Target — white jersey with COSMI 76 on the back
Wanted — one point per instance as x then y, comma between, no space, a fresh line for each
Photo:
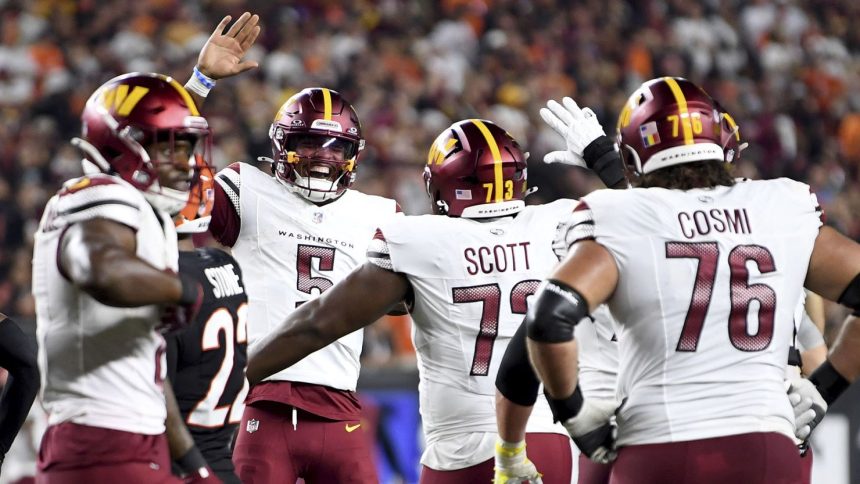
709,280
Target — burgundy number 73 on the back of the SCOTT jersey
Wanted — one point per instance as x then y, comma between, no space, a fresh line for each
491,297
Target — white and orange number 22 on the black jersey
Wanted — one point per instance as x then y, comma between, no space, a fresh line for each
207,413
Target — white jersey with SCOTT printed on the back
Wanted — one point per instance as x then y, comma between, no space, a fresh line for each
472,281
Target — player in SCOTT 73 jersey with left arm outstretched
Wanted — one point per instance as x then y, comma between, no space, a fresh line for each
468,272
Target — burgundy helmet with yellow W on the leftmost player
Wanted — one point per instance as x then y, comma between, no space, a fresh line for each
133,112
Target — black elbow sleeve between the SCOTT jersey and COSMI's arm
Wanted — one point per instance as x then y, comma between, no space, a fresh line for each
516,379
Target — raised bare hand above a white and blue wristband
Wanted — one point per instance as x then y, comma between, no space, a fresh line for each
222,54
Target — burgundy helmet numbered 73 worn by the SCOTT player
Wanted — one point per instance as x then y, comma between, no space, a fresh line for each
475,169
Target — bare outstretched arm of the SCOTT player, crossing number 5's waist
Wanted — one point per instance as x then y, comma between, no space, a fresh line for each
366,295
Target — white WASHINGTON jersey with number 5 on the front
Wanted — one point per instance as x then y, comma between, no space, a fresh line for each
292,250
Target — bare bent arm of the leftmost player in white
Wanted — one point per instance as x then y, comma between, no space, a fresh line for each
99,256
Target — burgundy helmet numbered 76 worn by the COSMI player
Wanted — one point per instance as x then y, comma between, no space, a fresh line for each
669,121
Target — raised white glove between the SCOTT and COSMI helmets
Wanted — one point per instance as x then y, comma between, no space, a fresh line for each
578,127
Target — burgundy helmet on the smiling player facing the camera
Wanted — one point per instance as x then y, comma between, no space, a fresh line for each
316,140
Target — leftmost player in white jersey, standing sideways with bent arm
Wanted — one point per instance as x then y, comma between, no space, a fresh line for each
104,275
